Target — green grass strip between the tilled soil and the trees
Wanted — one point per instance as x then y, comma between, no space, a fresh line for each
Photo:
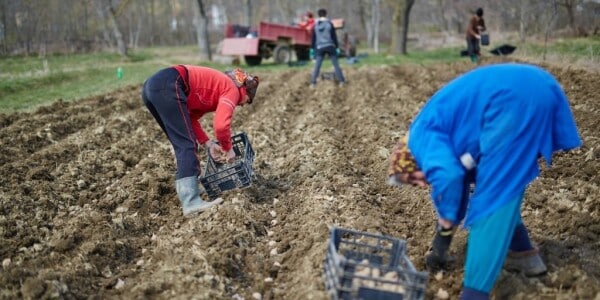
28,82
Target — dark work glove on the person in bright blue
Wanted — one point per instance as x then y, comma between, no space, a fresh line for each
438,258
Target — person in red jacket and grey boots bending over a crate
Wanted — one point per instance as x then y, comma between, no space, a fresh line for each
178,97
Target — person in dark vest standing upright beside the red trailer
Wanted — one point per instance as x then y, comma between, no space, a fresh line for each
324,41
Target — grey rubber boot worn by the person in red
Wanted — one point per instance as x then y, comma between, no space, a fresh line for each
189,196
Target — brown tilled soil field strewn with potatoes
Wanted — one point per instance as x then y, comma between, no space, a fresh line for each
89,210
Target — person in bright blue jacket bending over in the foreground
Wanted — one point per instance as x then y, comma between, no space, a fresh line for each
486,128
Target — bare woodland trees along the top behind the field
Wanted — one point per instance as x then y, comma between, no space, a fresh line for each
41,27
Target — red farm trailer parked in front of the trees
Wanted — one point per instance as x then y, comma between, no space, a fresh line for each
270,40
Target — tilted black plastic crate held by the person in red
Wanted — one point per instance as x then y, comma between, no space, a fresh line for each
219,177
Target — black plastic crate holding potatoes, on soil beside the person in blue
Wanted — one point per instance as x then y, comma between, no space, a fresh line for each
361,265
